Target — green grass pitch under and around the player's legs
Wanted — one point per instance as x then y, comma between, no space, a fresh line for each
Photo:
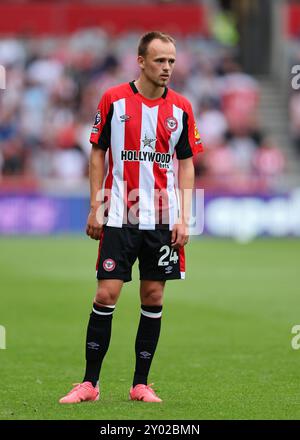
225,348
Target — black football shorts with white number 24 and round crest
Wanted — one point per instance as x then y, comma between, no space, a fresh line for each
120,247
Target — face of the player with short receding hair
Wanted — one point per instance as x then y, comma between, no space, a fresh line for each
158,63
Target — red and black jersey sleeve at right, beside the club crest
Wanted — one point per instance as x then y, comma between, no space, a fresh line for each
189,143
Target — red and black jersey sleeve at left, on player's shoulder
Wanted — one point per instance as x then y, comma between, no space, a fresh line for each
101,130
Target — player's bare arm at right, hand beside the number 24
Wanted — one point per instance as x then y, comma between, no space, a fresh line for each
186,178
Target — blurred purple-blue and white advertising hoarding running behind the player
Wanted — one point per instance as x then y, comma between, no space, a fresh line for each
240,217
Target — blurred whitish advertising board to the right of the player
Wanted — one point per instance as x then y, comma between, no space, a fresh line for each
248,217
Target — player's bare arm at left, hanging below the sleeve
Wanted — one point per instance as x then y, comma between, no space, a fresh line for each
96,175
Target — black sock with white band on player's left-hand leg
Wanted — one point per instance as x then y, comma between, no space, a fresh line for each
97,341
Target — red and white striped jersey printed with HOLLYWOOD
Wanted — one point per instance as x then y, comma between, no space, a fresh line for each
142,136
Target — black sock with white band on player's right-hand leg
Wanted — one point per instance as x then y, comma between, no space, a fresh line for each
146,342
